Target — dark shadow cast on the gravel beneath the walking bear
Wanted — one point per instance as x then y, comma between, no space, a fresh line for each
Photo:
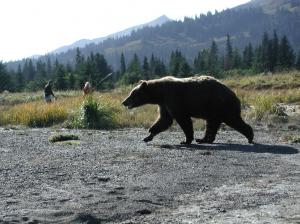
253,148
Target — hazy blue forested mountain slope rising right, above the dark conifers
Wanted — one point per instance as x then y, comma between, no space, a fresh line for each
245,24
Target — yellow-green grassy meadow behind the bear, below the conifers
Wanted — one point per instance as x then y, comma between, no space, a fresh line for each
261,96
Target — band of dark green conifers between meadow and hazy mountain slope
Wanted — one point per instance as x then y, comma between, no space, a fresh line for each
271,54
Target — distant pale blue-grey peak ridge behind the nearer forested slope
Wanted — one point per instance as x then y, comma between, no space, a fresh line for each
83,42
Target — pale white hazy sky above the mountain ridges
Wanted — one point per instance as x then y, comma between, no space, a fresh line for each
30,27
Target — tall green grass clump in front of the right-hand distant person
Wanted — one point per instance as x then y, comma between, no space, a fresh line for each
95,115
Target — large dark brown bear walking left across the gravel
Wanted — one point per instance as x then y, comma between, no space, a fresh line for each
183,98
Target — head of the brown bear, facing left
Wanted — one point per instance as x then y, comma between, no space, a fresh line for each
138,96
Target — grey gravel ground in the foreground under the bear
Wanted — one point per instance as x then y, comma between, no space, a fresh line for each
114,177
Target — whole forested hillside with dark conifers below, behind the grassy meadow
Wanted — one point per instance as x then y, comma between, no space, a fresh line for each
251,38
